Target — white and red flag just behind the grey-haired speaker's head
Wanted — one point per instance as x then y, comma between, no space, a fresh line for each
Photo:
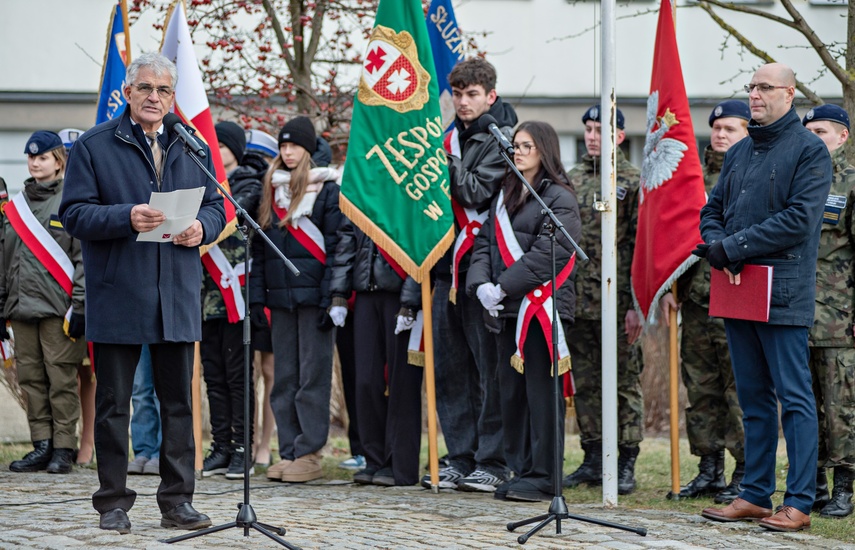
191,100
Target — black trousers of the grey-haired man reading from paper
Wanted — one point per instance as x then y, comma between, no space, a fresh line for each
172,368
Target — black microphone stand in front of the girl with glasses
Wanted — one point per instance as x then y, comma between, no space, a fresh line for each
558,507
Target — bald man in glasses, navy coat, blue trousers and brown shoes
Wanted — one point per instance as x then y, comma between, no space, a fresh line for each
767,209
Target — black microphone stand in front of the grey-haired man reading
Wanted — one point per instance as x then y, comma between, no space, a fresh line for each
246,518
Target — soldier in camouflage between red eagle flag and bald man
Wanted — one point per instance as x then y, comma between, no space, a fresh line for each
713,417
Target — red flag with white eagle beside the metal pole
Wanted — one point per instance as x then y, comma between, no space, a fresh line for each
672,185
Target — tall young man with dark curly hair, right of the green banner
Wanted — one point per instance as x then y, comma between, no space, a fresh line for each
466,357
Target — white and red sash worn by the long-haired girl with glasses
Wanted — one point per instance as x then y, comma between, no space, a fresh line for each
536,303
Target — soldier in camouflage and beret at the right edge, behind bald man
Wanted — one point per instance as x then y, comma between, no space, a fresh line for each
832,345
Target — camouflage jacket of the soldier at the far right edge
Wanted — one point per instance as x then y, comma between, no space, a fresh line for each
835,278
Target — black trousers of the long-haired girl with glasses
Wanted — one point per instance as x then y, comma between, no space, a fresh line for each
528,413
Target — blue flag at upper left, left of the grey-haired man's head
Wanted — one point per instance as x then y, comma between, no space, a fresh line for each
111,101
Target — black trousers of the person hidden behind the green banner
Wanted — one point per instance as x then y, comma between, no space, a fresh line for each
389,426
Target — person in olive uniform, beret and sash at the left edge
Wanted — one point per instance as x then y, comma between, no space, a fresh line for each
42,295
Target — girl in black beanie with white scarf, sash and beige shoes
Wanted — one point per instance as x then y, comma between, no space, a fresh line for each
299,212
